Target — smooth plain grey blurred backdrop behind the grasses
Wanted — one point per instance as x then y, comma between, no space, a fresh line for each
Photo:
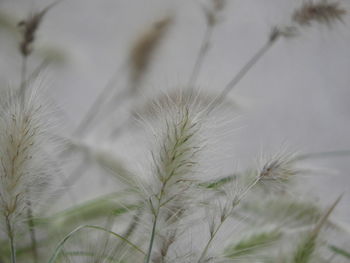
298,94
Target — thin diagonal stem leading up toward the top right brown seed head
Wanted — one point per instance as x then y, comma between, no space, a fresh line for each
243,71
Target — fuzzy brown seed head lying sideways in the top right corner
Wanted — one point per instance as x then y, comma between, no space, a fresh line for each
323,12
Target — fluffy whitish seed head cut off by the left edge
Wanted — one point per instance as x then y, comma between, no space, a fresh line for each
23,137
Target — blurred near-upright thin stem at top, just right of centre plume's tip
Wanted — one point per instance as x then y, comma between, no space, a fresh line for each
201,55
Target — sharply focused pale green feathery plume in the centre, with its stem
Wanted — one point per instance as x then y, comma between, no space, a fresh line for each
173,163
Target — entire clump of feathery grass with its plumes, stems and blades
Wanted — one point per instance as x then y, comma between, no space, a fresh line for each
158,214
